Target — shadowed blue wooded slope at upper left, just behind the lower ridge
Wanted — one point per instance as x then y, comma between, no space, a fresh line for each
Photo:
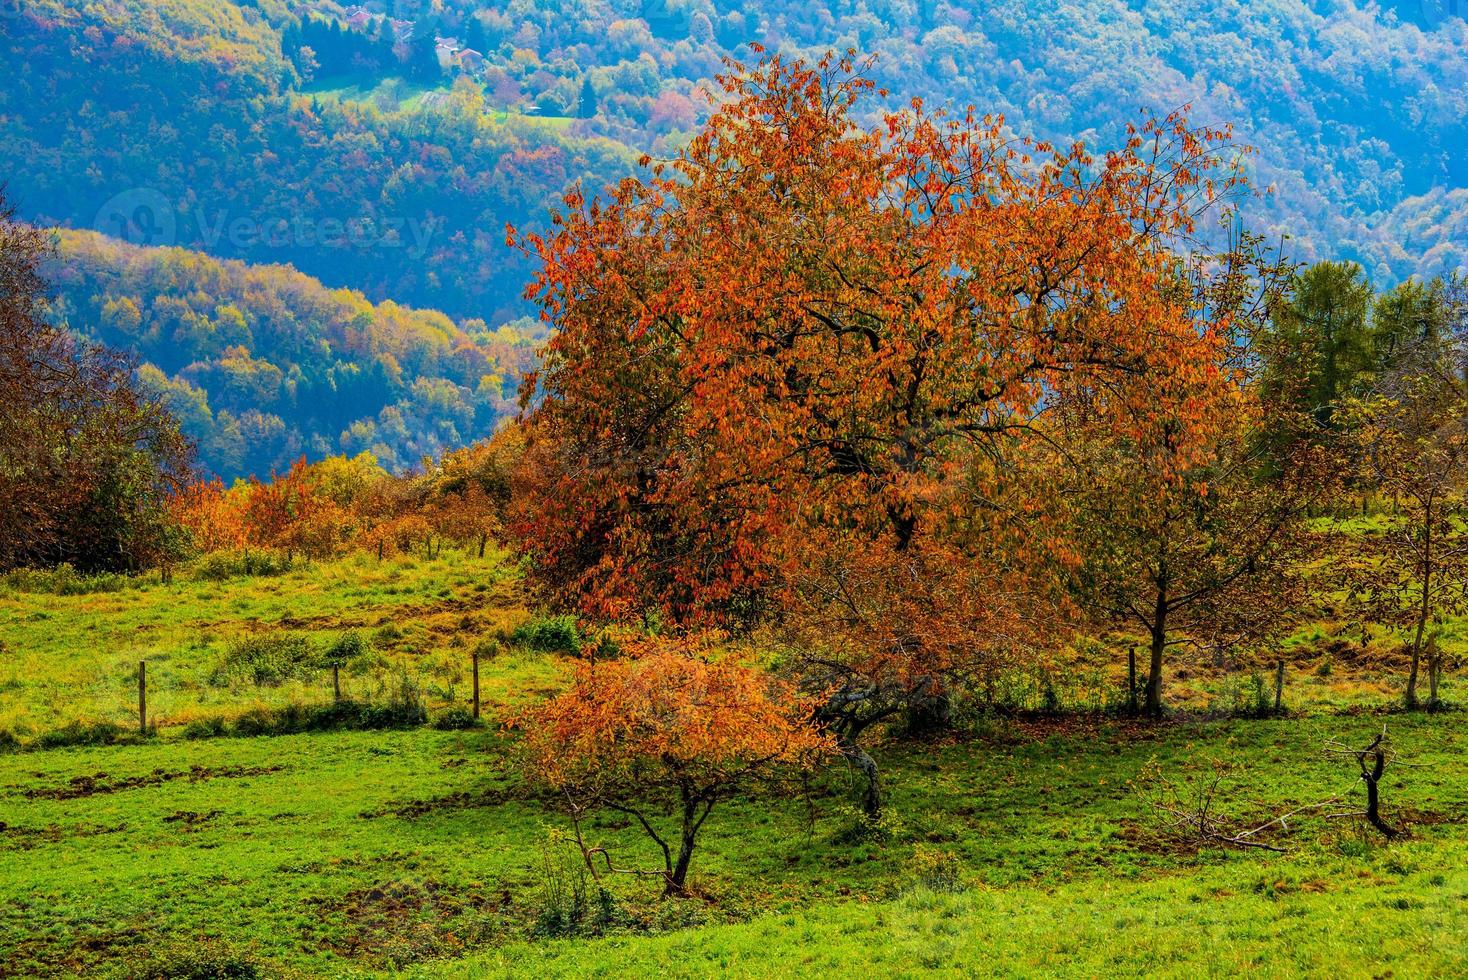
149,122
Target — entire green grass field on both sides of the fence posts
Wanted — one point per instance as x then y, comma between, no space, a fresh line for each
1015,846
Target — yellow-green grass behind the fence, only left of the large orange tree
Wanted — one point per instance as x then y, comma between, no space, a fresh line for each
76,658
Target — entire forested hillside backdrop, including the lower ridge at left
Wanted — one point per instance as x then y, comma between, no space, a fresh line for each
362,146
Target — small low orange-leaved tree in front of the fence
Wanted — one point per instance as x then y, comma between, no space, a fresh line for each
669,728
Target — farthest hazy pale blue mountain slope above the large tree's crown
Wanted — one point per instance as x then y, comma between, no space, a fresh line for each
1359,109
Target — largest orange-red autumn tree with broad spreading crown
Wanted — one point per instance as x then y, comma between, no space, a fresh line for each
791,369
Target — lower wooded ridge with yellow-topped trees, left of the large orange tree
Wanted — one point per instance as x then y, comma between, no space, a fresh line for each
264,365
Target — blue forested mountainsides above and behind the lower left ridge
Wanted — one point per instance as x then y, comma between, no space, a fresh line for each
200,108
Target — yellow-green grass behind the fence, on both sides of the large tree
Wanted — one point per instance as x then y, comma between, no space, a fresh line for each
76,658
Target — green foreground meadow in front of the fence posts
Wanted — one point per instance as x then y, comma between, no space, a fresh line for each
359,855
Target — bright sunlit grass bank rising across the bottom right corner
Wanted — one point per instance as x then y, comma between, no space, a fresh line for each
1322,919
